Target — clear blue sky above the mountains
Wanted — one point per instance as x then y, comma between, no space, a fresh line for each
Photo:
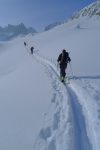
38,13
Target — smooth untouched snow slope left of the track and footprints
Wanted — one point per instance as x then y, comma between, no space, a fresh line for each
21,103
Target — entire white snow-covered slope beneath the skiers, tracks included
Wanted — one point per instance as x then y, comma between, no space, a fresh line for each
37,111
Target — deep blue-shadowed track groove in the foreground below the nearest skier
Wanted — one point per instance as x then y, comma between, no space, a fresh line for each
80,132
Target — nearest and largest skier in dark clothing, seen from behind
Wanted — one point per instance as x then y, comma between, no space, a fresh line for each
63,60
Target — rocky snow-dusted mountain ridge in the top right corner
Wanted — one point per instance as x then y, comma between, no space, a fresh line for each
89,11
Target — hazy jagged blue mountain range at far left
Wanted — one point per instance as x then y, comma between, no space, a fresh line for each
11,31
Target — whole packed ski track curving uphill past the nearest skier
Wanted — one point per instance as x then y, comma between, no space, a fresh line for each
79,137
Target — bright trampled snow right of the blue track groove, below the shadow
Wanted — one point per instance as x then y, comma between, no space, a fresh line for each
89,97
